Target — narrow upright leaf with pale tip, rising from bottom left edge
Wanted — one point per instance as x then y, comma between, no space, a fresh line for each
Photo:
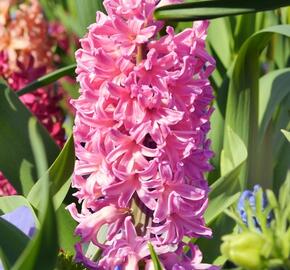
42,250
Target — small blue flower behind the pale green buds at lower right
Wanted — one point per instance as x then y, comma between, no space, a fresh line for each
250,196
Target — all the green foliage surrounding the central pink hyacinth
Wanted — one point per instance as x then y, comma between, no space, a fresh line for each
252,103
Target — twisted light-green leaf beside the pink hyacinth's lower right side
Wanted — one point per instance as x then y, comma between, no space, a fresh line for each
223,193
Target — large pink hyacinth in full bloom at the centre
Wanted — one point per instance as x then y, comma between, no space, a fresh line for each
140,138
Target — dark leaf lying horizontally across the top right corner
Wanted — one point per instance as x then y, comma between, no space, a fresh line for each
210,9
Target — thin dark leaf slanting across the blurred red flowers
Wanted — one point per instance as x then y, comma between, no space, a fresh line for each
48,79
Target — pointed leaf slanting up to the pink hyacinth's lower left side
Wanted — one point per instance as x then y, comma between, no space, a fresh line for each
59,176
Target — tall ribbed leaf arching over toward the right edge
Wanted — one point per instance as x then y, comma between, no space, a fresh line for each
243,100
